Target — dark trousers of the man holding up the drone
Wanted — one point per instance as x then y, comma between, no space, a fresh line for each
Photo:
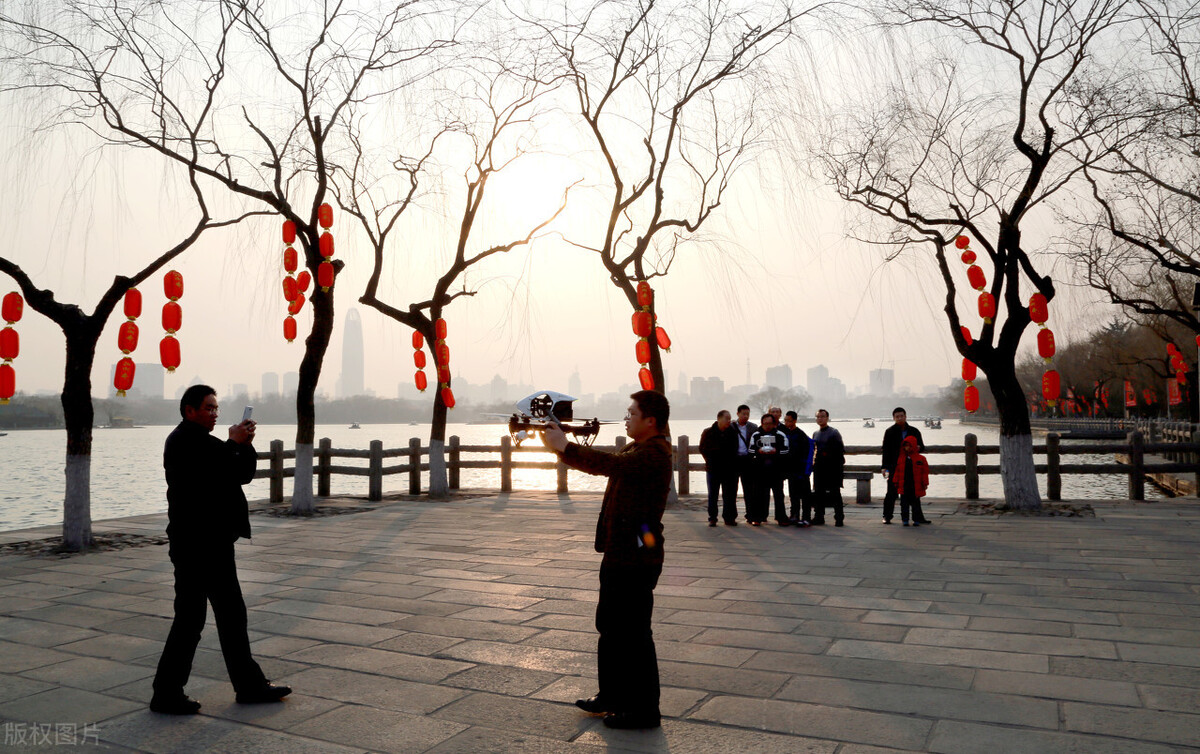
628,667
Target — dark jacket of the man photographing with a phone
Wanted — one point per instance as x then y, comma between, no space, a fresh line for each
206,505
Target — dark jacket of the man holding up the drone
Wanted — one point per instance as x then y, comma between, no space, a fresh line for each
629,531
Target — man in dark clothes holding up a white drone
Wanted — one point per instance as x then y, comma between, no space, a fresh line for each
629,534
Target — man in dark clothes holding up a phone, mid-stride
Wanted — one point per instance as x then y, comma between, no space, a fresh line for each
207,513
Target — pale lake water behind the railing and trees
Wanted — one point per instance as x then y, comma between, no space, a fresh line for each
128,478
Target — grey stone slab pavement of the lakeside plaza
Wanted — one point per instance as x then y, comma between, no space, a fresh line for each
467,627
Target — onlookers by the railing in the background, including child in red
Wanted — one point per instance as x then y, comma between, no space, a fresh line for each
761,458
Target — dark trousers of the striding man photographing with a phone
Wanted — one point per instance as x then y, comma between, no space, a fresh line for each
203,578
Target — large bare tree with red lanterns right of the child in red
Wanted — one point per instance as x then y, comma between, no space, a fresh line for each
977,145
